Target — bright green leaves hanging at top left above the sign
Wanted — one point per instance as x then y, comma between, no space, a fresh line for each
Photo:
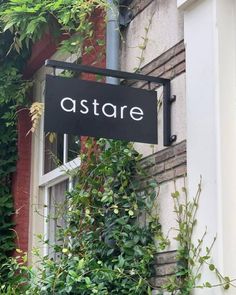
27,21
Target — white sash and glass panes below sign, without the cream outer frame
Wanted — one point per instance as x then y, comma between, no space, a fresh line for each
60,155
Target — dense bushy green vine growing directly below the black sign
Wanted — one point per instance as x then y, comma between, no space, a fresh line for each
105,249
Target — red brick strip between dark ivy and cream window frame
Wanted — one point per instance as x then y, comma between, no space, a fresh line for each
21,181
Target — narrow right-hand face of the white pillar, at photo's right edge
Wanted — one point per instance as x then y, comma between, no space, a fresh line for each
226,140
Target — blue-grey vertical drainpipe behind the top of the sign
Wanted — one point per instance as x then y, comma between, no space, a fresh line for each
112,39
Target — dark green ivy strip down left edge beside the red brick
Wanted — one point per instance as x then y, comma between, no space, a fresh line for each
12,94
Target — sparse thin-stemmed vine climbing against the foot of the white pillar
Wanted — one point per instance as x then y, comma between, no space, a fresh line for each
191,255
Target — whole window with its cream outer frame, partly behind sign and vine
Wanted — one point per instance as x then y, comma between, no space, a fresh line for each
53,156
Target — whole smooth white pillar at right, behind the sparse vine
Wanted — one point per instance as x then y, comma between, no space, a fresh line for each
211,124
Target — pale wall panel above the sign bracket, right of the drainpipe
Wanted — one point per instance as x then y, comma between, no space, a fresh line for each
165,31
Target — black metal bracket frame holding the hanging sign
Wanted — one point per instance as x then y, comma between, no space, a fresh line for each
168,139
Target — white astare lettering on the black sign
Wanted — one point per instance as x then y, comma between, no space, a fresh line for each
108,109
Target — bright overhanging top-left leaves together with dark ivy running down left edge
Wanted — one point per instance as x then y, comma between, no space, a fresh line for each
22,23
